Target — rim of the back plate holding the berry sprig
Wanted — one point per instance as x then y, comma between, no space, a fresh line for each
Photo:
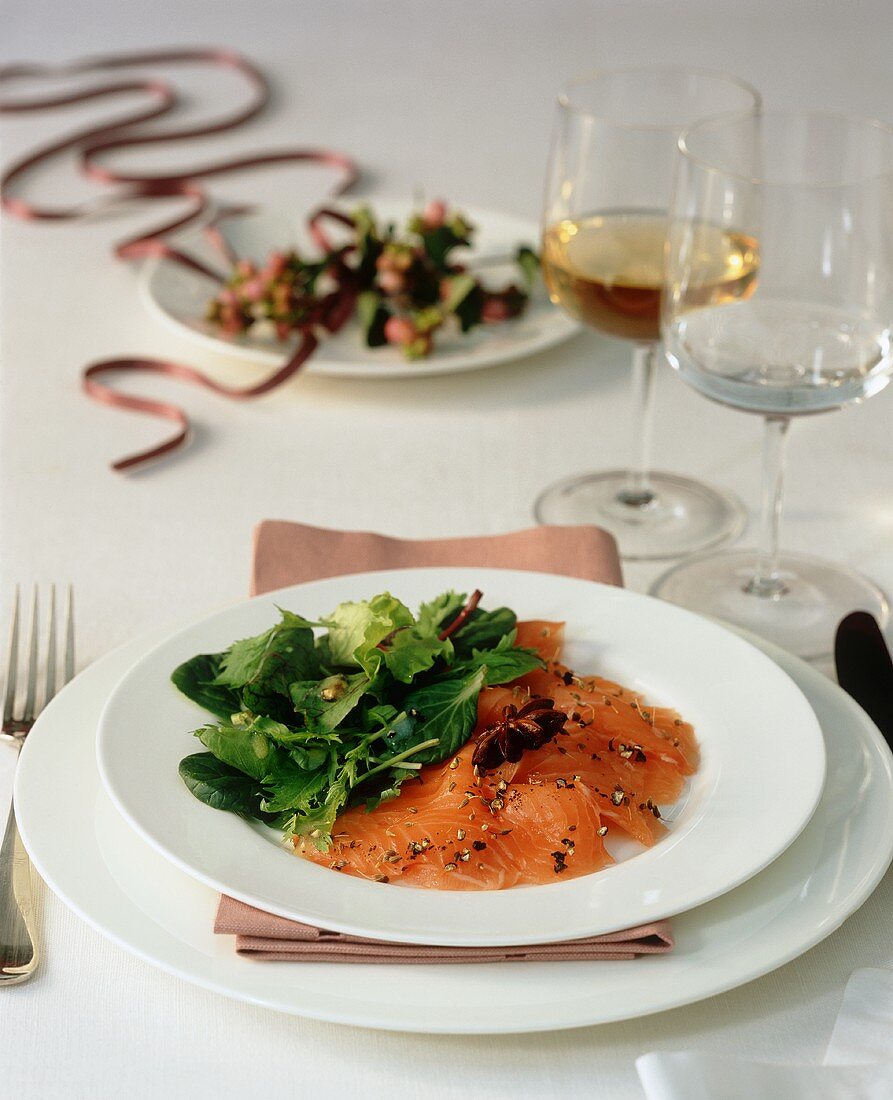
564,327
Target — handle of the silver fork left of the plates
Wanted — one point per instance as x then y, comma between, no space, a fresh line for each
18,941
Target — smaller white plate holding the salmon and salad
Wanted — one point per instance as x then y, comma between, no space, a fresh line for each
741,811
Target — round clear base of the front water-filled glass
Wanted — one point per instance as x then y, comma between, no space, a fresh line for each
803,620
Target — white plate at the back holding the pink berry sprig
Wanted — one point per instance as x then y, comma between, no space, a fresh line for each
180,299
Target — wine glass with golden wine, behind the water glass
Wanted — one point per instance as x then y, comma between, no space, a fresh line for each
605,213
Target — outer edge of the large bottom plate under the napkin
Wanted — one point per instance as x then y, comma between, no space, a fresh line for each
714,982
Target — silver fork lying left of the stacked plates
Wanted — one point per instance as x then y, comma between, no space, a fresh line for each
18,942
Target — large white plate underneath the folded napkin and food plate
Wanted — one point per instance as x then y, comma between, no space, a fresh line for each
98,866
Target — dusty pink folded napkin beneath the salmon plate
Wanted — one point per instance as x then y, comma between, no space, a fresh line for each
289,554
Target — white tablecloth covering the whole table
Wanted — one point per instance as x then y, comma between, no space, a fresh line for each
455,100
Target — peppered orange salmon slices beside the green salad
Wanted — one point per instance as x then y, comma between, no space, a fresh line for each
456,828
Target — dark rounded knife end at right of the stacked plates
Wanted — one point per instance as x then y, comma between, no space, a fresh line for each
865,669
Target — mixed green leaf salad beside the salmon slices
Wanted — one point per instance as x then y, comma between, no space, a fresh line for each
314,717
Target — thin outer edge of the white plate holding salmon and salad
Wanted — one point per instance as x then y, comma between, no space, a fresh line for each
462,932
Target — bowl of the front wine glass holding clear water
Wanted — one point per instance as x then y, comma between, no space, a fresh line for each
820,332
